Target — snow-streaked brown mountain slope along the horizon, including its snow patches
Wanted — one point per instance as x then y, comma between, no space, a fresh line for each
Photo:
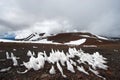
63,38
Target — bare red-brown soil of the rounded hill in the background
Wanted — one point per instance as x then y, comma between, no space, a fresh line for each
67,37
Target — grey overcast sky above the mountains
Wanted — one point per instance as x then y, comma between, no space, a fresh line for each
97,16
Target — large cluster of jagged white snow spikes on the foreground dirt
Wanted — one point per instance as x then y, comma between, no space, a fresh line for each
94,60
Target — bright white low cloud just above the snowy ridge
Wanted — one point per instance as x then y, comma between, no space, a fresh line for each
51,26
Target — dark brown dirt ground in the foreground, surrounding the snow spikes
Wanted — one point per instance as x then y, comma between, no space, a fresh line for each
109,51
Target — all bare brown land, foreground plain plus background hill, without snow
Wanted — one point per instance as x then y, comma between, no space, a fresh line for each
109,49
